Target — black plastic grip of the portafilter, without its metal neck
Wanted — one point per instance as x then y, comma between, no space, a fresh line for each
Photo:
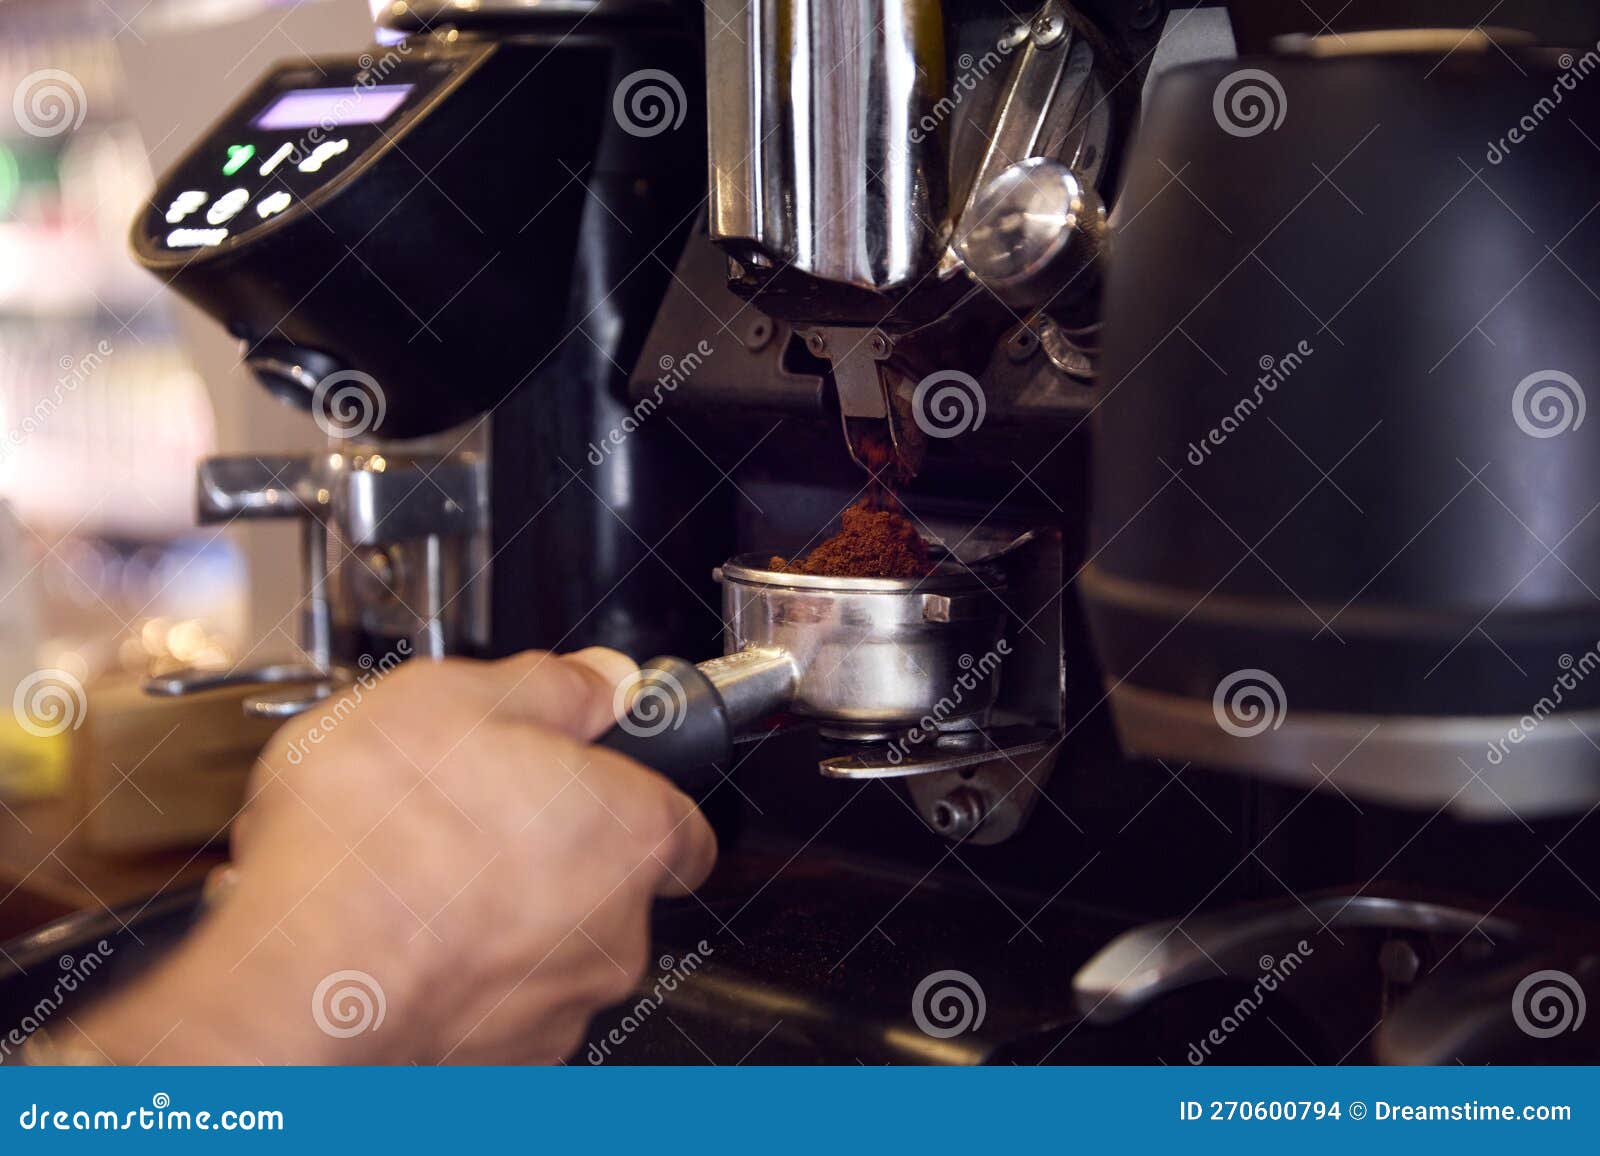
676,725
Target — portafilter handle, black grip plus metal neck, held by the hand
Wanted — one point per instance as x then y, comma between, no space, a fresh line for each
682,718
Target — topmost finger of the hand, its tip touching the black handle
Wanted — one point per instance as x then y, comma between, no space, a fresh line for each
574,694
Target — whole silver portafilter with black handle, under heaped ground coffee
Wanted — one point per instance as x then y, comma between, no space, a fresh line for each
865,657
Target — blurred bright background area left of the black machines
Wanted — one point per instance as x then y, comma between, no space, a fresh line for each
111,390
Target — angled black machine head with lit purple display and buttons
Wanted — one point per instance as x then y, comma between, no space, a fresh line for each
428,251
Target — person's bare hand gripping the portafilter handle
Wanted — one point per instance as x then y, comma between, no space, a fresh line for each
452,837
